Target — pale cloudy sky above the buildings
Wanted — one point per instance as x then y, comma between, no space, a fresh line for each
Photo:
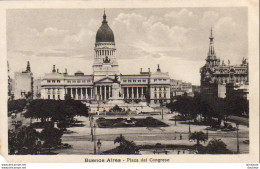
175,38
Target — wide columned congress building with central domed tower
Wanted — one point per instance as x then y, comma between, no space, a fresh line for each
153,87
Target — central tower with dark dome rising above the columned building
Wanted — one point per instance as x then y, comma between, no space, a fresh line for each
105,62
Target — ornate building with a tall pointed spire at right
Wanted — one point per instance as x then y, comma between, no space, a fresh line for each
216,76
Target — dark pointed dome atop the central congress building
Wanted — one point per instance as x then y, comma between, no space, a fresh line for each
104,33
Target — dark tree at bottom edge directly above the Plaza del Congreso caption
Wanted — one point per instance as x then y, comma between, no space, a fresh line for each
125,146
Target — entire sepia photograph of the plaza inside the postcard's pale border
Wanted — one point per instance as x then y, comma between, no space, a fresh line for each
128,81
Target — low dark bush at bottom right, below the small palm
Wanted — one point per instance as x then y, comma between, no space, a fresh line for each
216,146
